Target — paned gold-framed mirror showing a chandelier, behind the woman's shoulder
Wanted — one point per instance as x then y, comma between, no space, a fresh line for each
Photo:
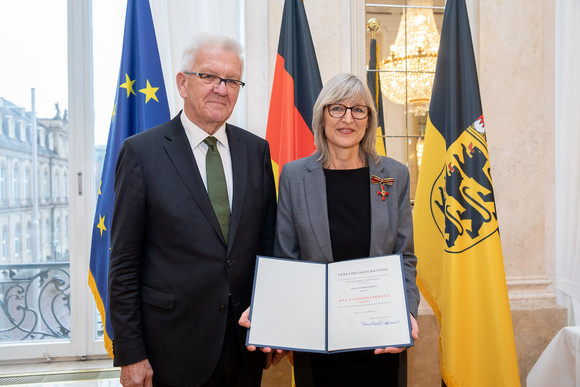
407,42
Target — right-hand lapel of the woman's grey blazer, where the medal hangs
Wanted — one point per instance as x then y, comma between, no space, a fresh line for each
379,210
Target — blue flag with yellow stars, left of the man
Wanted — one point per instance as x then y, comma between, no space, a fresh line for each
140,103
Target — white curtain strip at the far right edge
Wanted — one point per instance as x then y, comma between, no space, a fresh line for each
567,190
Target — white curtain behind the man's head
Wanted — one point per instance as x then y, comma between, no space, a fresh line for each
177,21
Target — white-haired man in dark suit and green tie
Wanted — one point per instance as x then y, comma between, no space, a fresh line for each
180,278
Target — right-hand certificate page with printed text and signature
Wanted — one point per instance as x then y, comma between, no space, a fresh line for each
367,305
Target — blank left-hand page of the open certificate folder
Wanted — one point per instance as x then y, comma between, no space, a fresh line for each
289,305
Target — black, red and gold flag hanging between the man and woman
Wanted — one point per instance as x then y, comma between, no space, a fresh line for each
295,89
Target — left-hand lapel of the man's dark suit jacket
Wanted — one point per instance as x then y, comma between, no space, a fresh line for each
179,151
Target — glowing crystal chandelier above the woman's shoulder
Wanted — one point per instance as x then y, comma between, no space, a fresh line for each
408,71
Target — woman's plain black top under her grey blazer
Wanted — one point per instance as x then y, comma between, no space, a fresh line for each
349,212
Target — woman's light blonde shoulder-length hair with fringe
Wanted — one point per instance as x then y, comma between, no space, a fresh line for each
340,88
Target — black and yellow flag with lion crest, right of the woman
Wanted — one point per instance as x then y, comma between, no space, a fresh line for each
460,269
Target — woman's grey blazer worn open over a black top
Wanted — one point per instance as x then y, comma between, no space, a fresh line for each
303,232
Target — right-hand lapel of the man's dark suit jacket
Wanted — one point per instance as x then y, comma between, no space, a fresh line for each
239,155
